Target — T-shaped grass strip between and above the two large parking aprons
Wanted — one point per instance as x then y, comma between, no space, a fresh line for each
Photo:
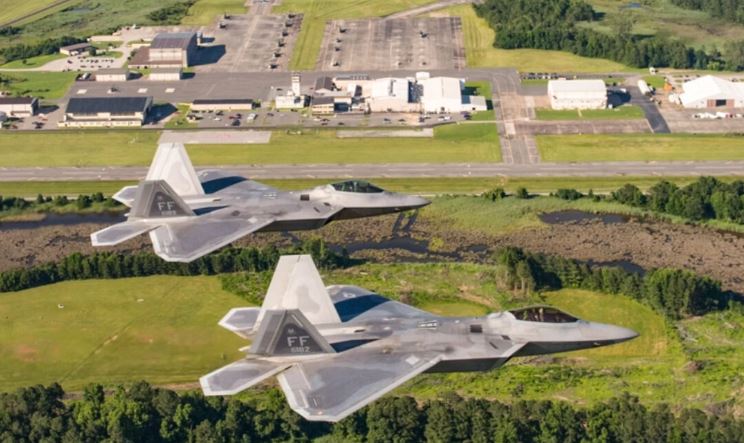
318,12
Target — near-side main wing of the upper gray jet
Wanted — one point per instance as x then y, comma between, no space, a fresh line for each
188,240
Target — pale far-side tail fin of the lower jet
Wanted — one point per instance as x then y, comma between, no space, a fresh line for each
296,284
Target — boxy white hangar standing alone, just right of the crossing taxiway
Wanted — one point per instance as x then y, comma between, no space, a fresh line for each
577,94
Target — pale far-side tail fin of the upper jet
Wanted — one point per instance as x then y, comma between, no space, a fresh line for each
172,164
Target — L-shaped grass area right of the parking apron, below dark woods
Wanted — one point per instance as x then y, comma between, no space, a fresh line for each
480,53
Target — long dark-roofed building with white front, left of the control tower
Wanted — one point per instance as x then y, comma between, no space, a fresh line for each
84,112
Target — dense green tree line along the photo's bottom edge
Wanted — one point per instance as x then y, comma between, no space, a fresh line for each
143,413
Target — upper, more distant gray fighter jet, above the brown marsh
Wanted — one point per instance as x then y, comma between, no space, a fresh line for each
189,215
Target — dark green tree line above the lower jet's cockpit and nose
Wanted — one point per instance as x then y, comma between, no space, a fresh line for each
675,293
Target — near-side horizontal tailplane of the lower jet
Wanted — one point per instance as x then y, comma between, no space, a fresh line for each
238,376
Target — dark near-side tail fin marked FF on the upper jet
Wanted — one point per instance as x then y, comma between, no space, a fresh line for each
156,199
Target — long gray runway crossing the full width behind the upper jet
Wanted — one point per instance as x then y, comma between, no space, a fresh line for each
403,170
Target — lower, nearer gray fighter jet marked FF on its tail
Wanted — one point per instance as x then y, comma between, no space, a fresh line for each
335,349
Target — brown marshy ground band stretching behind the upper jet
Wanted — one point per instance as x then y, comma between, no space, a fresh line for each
649,244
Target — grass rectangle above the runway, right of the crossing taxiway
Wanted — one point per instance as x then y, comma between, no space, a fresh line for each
639,147
